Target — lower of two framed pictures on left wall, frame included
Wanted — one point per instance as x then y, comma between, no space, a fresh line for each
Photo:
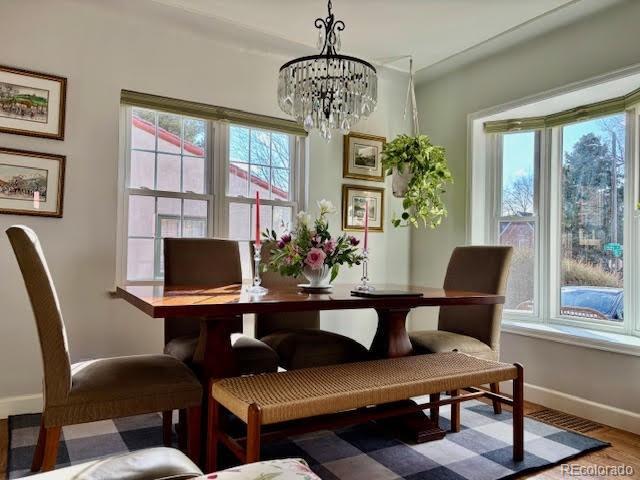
31,183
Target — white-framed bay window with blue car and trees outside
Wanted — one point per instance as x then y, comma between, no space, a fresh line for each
566,198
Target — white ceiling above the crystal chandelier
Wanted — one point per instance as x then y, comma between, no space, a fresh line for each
380,30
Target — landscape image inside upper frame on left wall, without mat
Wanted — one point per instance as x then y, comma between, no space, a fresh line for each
17,101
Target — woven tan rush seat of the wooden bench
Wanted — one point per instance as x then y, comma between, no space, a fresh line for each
316,391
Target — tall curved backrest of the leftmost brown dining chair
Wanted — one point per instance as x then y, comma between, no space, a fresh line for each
46,310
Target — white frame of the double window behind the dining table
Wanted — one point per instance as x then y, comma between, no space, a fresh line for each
216,178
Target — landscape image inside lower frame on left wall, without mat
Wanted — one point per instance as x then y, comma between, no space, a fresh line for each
23,183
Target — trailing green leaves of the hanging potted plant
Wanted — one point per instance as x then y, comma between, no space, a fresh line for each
422,202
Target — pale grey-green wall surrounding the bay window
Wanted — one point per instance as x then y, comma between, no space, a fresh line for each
594,46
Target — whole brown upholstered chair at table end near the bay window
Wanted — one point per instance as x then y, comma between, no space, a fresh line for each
474,330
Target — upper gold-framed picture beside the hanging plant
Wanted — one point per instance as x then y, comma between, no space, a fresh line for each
362,157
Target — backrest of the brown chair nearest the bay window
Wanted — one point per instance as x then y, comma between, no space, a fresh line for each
480,269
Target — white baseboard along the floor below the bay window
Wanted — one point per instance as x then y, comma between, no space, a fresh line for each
581,407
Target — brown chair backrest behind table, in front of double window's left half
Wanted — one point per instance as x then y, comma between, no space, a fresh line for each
196,262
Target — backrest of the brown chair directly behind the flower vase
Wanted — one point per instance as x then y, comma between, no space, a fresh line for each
267,323
